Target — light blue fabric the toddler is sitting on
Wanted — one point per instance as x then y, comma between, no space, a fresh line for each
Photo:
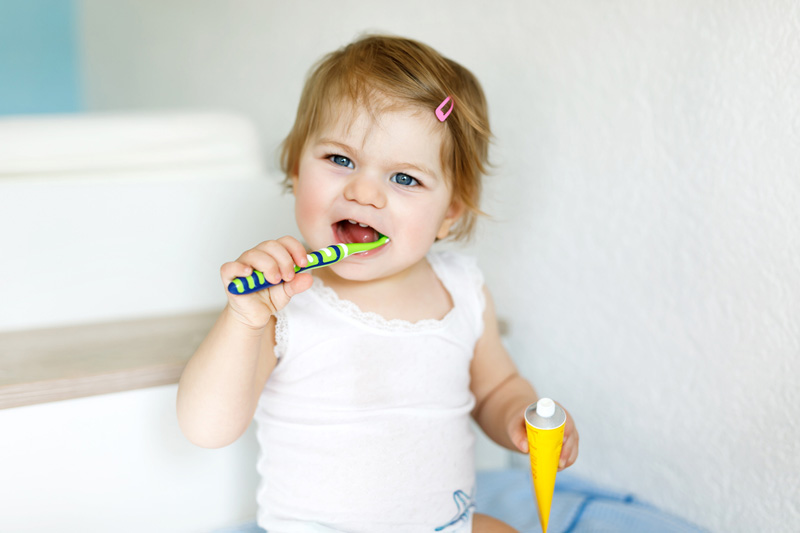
579,506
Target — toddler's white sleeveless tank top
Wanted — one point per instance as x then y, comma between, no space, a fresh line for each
364,422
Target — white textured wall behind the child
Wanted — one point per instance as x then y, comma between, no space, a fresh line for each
646,190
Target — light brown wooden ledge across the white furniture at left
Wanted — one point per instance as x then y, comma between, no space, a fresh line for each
46,365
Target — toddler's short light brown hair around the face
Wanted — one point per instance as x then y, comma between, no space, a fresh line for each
384,70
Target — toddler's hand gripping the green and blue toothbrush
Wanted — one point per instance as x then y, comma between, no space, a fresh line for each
276,260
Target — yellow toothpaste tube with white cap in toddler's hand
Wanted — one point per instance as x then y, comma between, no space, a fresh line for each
545,423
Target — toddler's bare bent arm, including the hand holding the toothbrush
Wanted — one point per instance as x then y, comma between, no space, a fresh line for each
220,386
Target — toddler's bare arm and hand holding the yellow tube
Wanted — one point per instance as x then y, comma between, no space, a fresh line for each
501,394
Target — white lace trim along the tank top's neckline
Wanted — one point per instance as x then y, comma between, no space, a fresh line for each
376,321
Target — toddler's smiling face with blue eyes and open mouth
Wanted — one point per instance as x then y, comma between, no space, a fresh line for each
385,173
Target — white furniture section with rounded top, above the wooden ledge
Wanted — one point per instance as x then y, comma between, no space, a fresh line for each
108,216
